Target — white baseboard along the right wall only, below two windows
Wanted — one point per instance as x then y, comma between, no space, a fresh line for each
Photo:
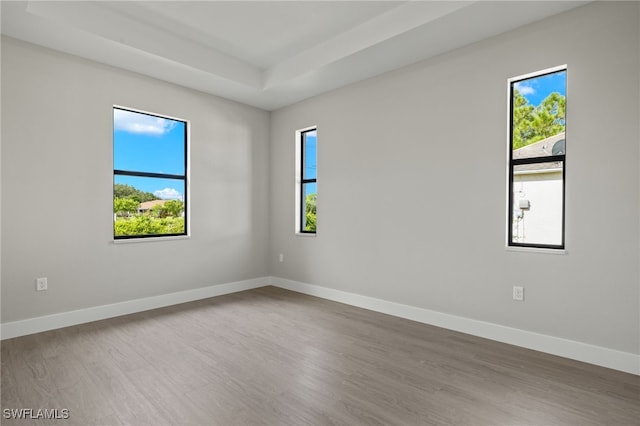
610,358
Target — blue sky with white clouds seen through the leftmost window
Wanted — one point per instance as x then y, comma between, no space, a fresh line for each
148,143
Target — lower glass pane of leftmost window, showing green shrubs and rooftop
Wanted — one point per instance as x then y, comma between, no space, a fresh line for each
148,206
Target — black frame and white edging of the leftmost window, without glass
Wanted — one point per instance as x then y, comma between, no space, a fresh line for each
136,173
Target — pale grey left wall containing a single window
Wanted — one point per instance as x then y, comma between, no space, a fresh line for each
57,175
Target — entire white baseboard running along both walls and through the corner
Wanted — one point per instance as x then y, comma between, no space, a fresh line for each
610,358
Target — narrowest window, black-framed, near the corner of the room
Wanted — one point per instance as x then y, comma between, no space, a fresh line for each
306,182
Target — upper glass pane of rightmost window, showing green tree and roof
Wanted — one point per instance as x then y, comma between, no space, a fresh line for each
538,115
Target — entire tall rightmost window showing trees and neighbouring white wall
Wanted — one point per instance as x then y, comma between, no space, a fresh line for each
537,142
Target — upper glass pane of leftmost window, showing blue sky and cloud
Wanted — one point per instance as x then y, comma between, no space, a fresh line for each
148,143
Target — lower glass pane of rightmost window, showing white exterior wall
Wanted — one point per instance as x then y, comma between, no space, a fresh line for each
537,203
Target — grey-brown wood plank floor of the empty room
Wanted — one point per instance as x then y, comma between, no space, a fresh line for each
273,357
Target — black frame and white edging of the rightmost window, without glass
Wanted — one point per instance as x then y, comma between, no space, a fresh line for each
513,163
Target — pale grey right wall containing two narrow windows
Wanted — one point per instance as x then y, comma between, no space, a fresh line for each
412,178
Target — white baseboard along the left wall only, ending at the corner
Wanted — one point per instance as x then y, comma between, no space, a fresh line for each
80,316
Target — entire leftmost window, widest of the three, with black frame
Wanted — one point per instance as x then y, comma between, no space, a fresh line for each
149,175
